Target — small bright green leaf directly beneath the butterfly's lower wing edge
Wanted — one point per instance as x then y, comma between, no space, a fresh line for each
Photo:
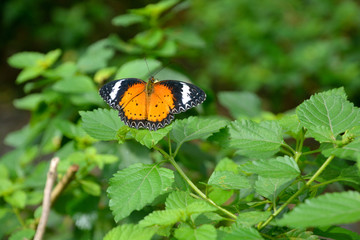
149,138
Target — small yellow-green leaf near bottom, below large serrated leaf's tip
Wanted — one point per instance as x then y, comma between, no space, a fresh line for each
163,218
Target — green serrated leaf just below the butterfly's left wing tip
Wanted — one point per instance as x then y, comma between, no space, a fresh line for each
101,124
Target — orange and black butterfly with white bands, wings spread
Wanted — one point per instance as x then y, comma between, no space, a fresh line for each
151,104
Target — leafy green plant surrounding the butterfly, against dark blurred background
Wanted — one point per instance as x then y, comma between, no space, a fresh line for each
260,176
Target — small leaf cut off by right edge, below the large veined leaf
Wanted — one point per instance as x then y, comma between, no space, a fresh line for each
350,151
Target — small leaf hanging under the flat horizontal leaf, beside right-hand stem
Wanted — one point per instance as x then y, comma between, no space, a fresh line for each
271,187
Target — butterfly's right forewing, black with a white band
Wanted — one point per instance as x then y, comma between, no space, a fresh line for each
184,95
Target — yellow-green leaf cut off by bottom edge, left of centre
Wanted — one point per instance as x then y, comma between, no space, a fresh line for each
129,231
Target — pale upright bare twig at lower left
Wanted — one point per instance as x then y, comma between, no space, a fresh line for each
51,176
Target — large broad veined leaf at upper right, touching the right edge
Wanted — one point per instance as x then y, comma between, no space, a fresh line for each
326,116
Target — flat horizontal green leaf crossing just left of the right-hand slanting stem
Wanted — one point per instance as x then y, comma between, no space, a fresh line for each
280,167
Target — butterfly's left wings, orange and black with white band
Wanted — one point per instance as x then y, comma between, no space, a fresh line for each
129,97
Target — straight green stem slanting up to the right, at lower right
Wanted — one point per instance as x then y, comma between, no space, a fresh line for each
312,179
